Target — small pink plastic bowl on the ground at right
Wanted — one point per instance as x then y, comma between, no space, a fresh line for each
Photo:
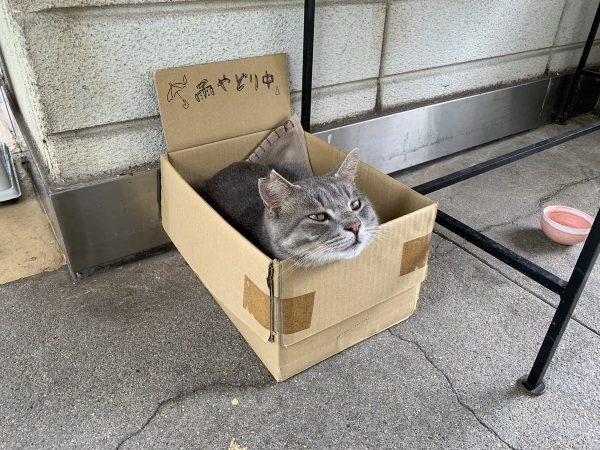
567,226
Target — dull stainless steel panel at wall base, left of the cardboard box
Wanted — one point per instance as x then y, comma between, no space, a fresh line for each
104,222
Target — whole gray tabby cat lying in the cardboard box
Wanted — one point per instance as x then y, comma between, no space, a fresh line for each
292,214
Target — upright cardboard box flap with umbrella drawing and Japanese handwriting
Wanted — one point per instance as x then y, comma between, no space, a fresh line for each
210,102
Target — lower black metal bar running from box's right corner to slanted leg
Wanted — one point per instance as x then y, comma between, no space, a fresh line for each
507,256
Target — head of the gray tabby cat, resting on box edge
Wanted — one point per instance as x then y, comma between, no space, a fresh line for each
319,219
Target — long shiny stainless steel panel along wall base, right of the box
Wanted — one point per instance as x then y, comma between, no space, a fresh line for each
397,141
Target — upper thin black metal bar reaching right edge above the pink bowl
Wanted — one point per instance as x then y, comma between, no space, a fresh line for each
461,175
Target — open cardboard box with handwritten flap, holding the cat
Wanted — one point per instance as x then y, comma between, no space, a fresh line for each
293,318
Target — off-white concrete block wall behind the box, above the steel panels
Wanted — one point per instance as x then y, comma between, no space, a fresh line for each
82,69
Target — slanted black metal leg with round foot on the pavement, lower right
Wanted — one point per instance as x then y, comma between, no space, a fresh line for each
534,382
